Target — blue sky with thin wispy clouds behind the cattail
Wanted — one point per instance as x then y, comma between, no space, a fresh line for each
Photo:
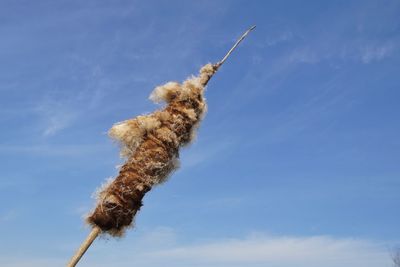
295,164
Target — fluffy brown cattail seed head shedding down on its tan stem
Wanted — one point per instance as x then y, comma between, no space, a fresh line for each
151,144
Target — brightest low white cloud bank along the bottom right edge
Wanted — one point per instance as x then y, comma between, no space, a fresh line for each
279,251
